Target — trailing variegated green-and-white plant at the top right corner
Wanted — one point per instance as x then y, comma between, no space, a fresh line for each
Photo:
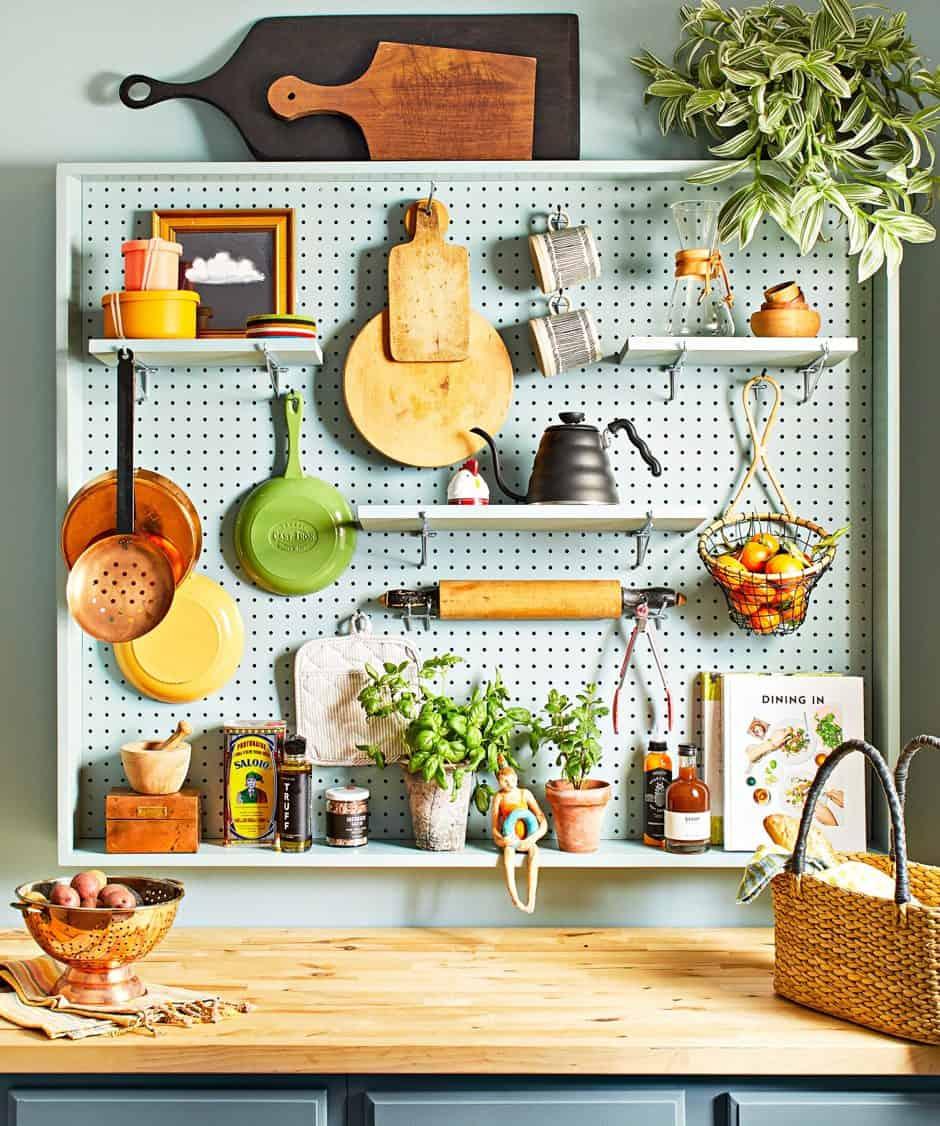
820,111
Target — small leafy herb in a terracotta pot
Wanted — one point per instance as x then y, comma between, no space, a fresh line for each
578,802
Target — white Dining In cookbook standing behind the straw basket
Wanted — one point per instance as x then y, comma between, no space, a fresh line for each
776,732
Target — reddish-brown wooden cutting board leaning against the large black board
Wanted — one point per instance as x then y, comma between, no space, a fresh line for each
418,103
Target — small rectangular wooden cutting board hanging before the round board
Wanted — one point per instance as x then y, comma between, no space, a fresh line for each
428,291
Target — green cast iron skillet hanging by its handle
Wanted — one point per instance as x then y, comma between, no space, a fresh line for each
294,535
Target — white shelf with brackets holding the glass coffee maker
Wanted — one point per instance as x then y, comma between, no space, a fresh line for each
809,355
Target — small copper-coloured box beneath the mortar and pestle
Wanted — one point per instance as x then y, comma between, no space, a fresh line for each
153,824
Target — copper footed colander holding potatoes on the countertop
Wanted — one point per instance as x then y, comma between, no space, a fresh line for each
101,945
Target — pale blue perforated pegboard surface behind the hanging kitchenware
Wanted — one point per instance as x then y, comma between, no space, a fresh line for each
218,433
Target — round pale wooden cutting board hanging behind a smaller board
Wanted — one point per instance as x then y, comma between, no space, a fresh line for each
420,414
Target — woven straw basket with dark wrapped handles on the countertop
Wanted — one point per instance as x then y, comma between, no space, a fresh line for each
855,957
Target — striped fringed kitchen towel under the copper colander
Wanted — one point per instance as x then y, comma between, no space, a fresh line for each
31,1002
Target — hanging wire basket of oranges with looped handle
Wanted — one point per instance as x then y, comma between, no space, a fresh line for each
789,555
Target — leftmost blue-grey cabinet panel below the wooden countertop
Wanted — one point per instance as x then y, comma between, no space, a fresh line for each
103,1107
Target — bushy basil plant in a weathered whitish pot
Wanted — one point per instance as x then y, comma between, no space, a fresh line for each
445,743
